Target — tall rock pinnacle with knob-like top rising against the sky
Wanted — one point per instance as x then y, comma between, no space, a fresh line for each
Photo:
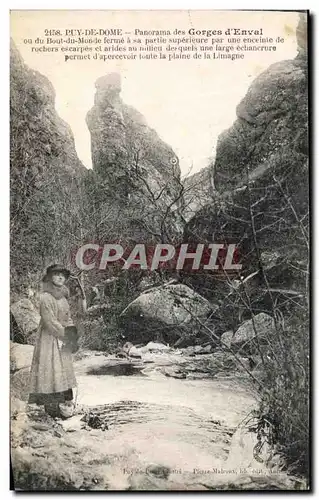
133,166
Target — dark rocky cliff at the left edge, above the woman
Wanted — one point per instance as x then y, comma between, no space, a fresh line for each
45,174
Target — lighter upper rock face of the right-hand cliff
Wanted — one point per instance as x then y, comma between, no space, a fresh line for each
271,125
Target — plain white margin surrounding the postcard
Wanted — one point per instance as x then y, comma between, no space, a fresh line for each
4,196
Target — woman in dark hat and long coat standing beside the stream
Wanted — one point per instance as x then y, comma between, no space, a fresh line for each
52,375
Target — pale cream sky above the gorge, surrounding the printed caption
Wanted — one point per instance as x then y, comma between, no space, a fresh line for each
188,102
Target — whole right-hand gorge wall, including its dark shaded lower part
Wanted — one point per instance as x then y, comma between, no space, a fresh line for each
261,179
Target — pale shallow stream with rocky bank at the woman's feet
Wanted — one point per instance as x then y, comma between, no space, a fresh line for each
136,428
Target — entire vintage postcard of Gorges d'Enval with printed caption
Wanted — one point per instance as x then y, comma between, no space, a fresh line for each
159,310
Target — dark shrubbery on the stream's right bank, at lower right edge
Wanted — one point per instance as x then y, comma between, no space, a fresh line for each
285,393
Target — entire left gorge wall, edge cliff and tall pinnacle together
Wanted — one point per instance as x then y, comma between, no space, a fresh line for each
56,203
